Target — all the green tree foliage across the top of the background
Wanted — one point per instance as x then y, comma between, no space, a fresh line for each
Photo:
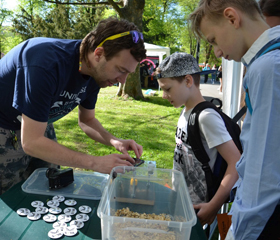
164,22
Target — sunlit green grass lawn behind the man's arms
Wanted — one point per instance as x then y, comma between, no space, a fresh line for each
151,123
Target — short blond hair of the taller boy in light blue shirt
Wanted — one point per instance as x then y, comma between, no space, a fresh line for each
214,9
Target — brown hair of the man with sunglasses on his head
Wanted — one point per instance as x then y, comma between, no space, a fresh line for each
107,28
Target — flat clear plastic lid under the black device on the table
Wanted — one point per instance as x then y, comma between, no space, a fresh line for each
86,185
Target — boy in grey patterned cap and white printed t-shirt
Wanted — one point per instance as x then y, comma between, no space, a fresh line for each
179,78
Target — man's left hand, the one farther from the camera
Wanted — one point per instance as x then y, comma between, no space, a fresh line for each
124,146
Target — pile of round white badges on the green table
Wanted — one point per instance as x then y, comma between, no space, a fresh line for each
58,216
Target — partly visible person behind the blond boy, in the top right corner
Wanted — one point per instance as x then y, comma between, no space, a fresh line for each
271,11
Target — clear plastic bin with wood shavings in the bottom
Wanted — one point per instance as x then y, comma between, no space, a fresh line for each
146,191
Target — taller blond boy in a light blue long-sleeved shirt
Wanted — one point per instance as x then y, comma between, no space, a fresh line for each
238,31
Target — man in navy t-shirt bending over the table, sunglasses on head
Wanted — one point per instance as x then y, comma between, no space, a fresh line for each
43,79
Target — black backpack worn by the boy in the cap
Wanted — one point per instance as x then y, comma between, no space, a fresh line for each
213,179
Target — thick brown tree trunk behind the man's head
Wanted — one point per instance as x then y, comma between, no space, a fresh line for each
133,12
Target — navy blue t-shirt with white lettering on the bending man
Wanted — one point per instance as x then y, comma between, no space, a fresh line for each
40,78
